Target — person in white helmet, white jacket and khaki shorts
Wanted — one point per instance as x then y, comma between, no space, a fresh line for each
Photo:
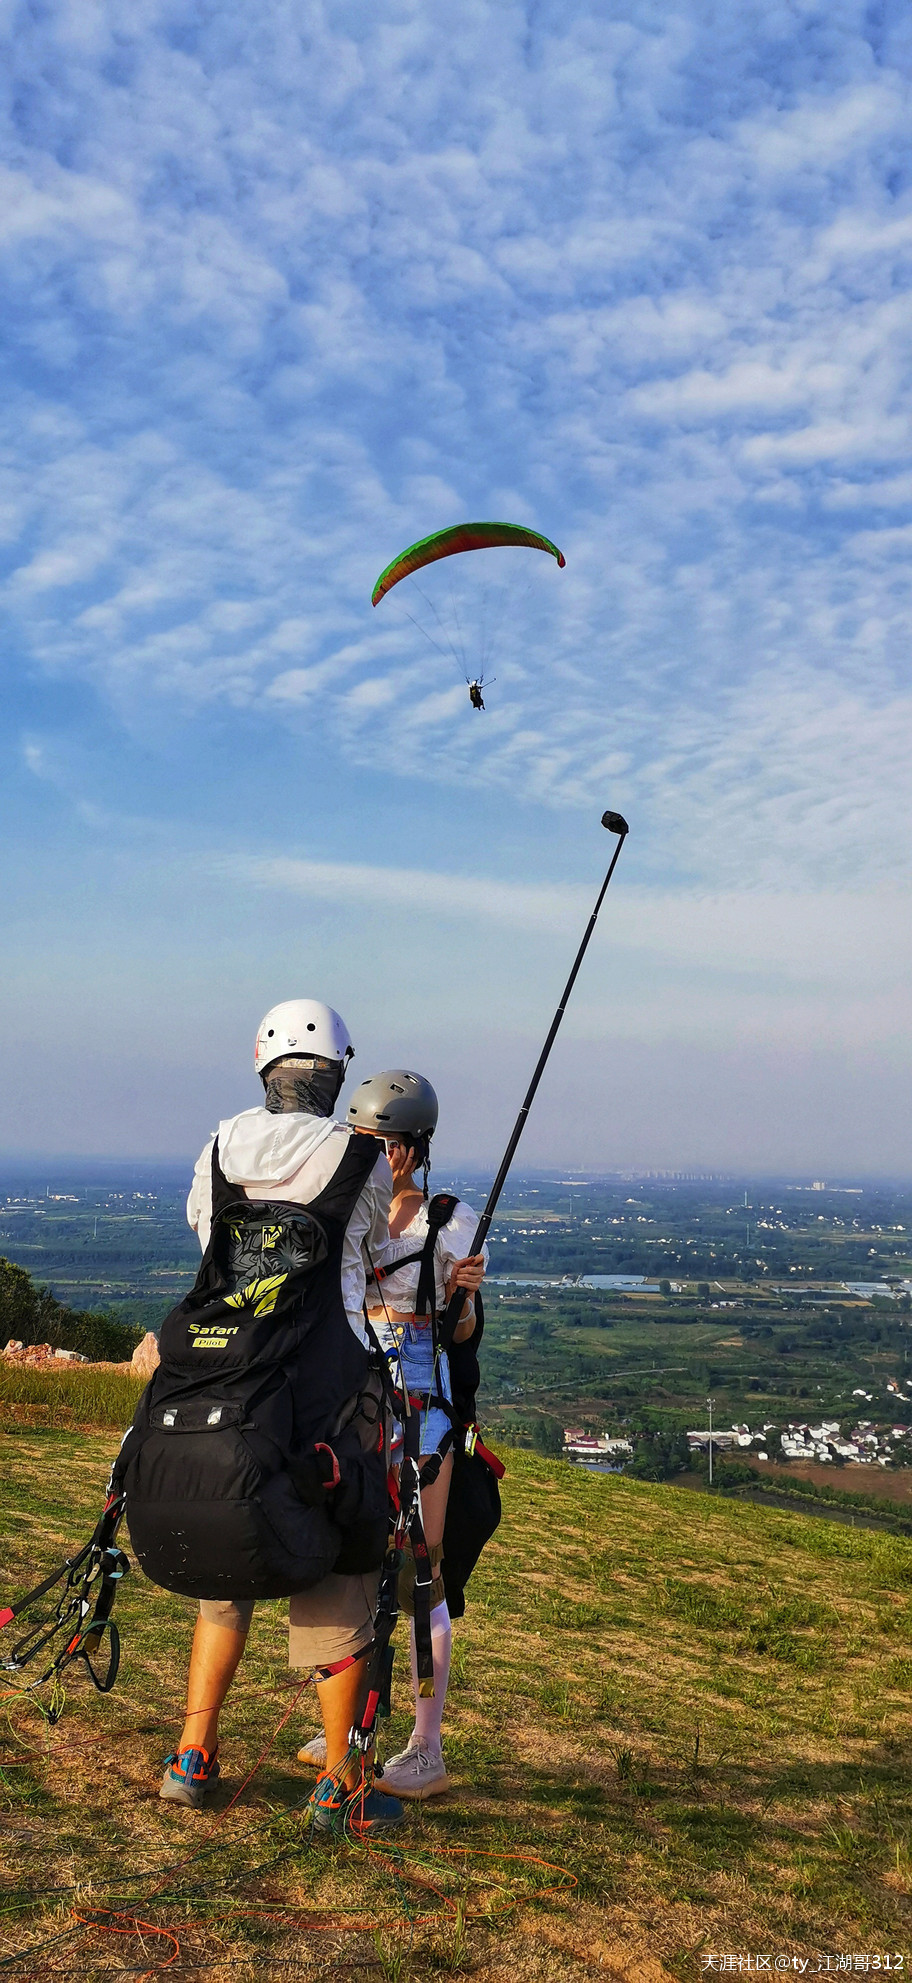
290,1149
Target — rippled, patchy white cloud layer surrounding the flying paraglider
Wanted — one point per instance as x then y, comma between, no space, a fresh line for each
292,285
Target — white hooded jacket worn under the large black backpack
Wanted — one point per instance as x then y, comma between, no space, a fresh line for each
292,1157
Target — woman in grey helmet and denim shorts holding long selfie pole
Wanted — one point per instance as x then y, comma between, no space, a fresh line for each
403,1109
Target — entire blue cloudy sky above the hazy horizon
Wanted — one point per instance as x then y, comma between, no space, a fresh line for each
290,287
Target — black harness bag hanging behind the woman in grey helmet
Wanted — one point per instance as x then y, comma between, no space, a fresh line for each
473,1508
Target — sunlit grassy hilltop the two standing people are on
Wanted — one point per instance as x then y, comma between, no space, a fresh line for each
695,1710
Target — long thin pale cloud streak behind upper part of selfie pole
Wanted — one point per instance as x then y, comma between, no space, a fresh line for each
828,967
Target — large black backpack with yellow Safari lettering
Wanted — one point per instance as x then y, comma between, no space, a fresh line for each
257,1457
